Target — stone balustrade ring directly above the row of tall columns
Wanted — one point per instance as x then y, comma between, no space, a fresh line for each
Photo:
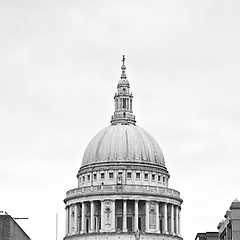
138,189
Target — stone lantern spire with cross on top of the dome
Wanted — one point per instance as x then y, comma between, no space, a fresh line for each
123,101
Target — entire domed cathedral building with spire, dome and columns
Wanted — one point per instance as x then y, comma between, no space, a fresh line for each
123,183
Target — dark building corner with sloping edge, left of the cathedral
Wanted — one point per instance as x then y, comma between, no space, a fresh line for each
10,230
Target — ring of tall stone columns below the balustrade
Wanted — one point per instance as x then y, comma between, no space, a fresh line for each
123,216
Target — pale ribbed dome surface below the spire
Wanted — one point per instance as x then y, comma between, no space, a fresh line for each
123,143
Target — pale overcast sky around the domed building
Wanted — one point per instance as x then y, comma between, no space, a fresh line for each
60,63
